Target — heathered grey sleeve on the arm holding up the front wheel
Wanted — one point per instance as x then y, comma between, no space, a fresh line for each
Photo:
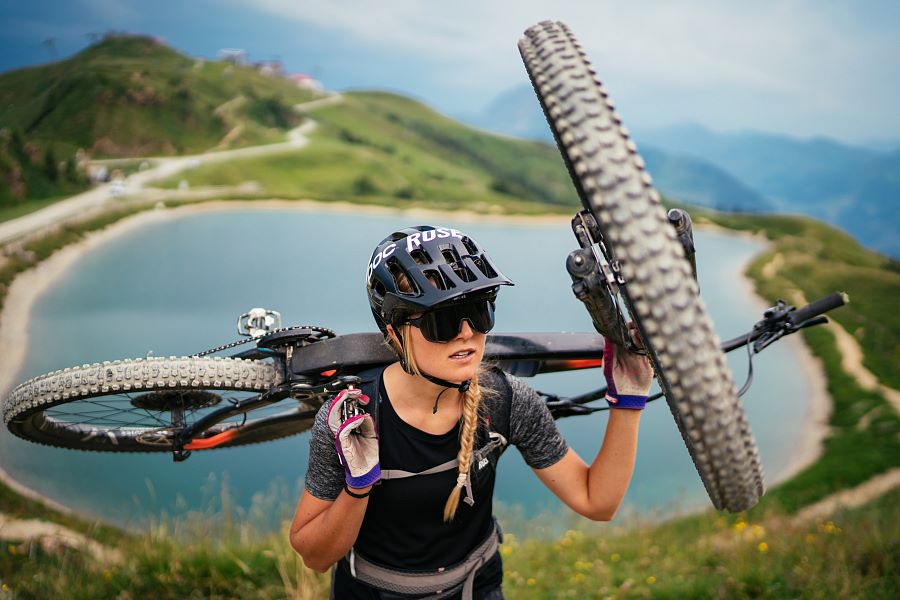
532,428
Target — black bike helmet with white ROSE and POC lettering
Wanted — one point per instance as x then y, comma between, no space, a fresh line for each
437,265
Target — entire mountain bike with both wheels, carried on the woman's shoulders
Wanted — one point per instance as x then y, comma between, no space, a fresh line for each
634,265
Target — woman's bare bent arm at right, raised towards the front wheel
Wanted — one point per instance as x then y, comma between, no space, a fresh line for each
596,492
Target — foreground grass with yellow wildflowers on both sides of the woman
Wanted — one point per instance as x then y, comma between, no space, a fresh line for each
851,554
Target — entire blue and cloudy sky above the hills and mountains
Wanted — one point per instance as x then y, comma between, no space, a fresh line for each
798,67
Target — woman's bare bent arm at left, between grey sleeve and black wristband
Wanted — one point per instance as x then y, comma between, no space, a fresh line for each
323,531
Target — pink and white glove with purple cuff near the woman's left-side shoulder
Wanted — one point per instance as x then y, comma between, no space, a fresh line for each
355,438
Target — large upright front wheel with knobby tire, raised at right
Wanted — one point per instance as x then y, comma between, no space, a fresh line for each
660,293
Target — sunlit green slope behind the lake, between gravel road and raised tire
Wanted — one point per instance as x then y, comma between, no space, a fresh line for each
387,149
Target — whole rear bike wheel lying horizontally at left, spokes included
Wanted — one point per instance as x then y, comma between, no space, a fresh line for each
139,405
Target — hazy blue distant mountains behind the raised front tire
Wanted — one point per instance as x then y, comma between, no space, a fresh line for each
855,188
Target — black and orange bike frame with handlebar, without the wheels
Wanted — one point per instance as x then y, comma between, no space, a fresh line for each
313,371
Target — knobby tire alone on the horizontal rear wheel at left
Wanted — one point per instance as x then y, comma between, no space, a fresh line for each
23,409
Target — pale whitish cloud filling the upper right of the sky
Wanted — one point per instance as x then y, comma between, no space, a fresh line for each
813,56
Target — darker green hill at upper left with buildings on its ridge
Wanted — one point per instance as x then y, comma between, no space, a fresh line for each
134,96
